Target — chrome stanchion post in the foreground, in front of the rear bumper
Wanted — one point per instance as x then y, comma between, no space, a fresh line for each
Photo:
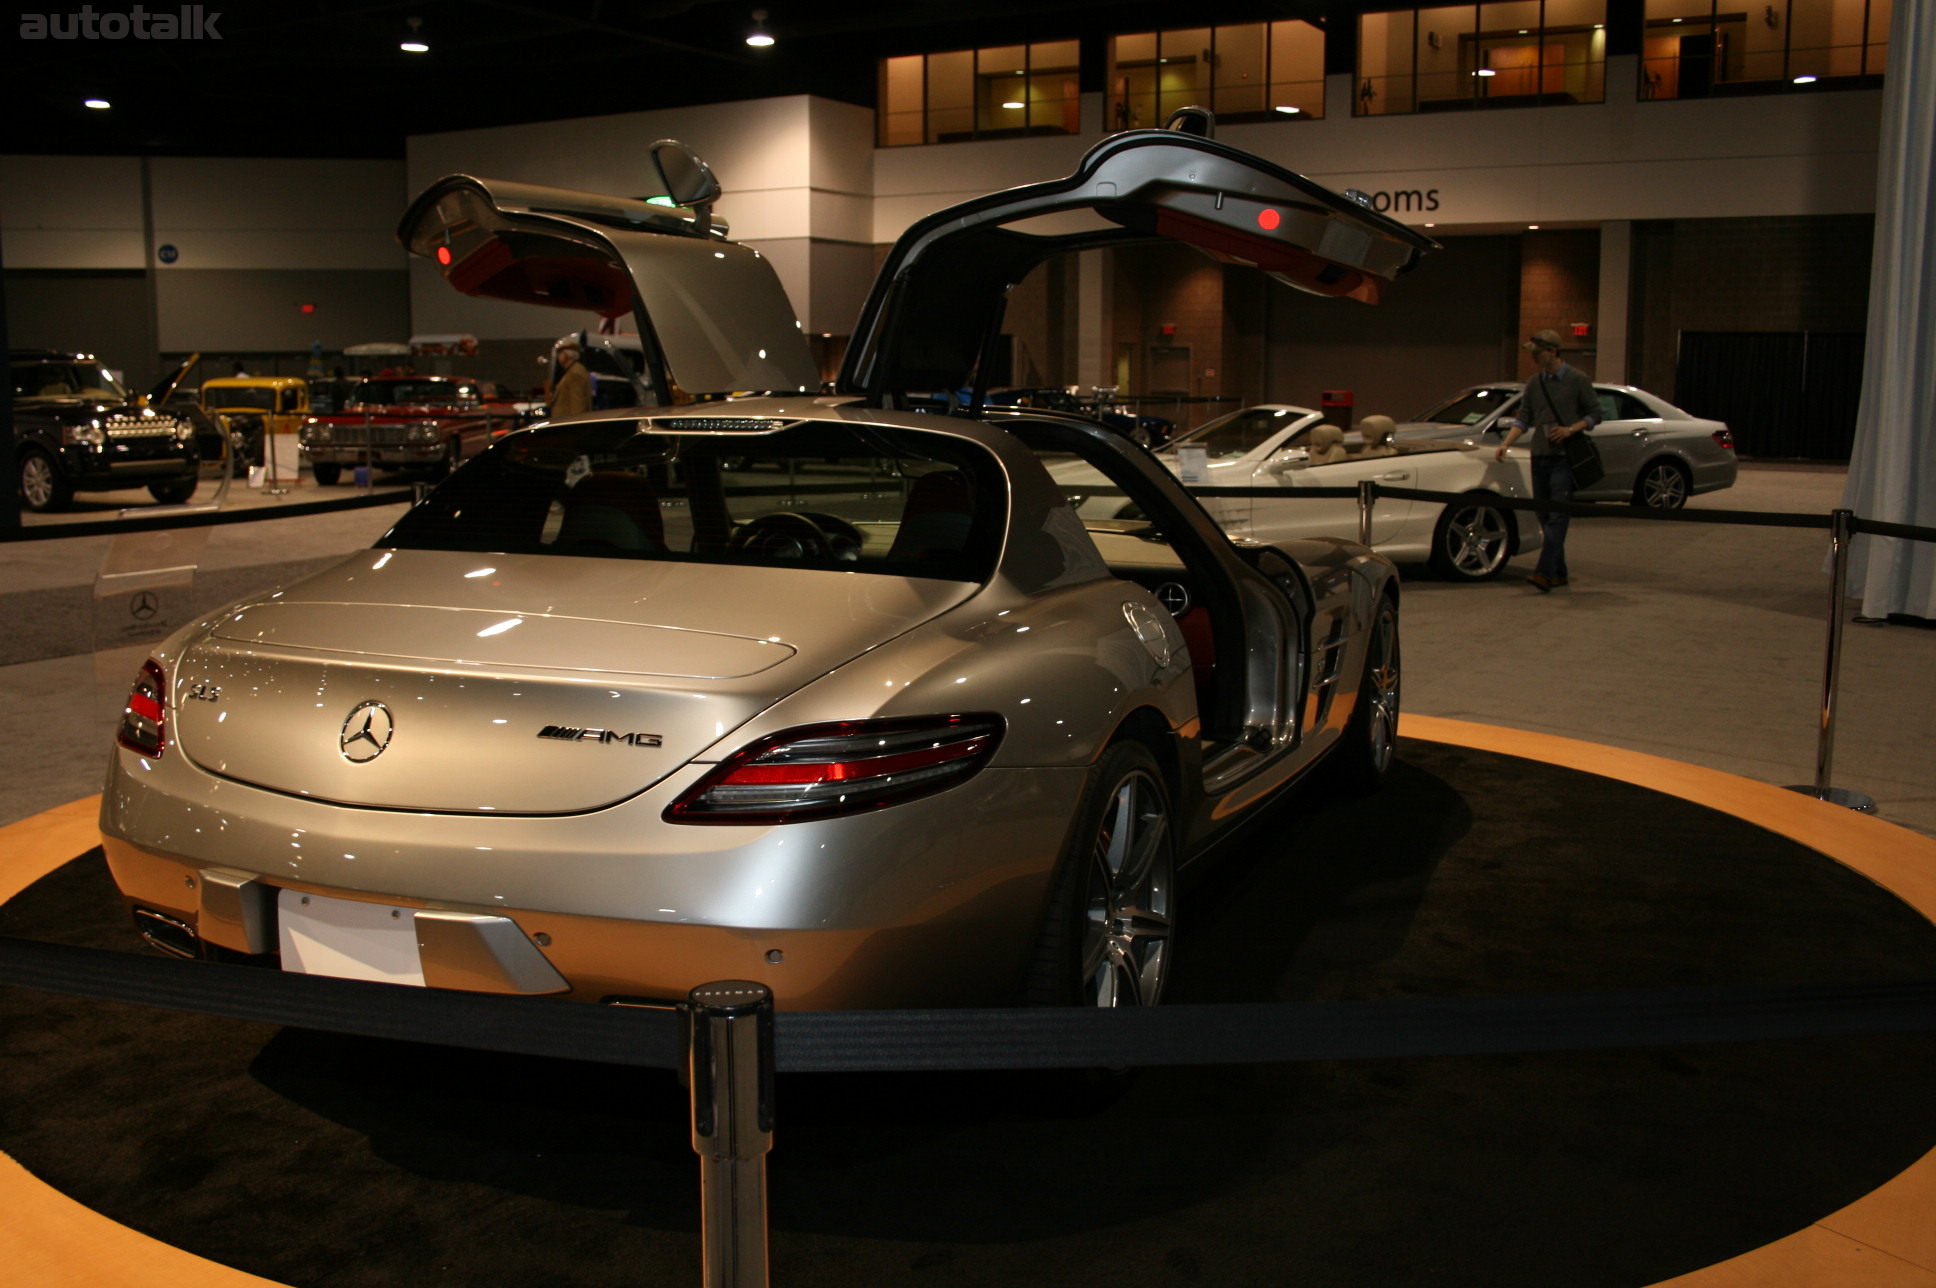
731,1076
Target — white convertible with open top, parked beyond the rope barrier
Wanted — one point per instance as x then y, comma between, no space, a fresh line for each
1269,446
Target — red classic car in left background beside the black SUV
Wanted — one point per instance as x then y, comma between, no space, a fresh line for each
431,423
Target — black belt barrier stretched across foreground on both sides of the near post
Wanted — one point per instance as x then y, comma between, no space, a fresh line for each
992,1039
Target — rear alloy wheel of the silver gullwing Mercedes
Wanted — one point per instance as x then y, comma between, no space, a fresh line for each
1126,929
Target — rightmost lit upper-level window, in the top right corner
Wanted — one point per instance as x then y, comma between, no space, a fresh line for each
1709,47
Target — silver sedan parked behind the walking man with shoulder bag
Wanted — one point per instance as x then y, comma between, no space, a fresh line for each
1656,454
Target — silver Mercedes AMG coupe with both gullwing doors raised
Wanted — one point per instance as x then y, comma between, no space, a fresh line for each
607,720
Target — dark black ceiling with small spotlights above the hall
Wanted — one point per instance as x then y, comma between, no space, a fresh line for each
328,80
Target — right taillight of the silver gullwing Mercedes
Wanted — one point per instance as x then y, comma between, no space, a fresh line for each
824,772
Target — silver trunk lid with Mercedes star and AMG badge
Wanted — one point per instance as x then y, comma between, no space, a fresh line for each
516,685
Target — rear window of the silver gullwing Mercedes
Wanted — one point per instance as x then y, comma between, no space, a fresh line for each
818,495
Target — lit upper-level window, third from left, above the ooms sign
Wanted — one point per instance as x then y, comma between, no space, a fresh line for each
1482,55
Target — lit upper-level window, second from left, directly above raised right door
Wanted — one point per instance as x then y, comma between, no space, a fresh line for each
1242,73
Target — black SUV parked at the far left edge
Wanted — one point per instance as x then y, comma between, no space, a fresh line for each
76,429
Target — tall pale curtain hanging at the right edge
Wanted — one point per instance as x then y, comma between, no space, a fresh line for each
1892,474
